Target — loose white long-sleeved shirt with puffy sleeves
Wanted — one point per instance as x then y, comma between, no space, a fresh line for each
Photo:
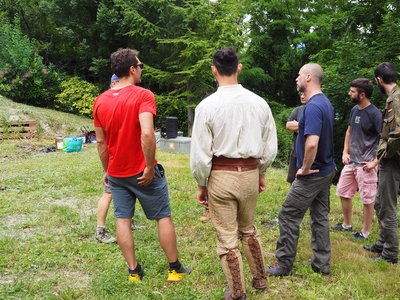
232,122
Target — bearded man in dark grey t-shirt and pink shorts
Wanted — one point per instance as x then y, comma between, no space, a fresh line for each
359,157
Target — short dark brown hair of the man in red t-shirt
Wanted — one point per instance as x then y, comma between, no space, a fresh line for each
122,60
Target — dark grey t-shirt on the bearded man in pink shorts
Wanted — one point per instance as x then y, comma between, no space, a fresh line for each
365,127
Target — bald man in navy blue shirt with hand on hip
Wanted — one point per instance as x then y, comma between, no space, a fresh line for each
310,189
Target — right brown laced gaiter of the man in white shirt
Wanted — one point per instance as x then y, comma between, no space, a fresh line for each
253,251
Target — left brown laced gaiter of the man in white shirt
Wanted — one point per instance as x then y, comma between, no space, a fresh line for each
232,265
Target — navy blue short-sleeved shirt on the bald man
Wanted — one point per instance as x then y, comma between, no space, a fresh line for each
317,119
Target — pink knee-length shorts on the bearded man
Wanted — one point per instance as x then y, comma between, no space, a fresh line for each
353,177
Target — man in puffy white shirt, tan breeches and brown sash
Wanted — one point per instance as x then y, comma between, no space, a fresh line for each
233,143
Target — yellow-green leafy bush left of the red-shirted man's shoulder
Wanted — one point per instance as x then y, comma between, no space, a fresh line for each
77,96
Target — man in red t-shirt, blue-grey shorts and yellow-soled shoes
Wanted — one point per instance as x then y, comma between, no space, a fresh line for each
123,120
